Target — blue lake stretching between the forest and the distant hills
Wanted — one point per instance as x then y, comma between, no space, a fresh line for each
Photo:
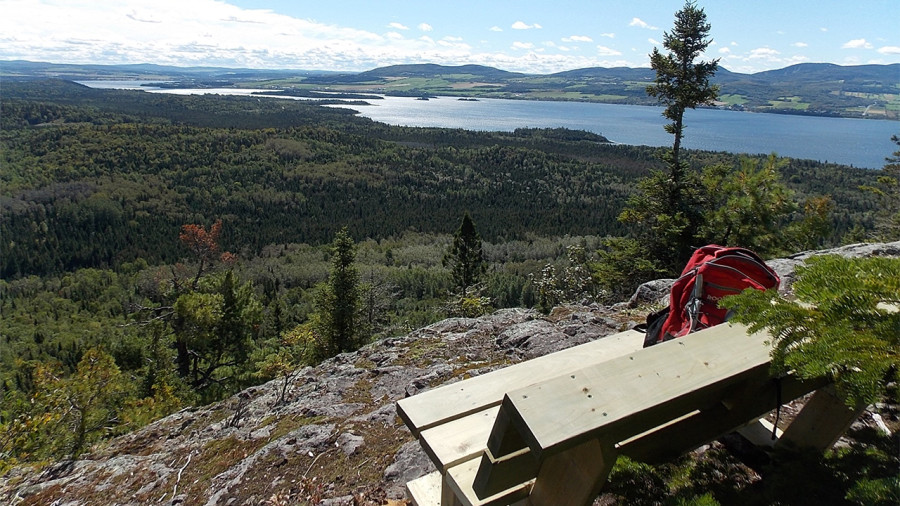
857,142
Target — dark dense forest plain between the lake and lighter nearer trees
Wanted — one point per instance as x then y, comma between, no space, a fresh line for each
107,182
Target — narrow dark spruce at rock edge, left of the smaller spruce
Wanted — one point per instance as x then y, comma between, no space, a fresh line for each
338,300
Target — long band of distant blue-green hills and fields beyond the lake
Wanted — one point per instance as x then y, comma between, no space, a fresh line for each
823,89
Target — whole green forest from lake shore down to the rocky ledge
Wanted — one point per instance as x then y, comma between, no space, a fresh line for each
113,203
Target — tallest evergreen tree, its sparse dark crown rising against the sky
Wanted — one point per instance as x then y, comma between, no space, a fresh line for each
667,207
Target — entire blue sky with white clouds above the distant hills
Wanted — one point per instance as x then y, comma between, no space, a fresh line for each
522,36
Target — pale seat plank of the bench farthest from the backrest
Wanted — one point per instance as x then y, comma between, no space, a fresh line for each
456,400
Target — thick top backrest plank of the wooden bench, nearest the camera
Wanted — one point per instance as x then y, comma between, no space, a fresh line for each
633,393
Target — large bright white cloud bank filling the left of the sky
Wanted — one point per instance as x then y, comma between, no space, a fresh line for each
172,32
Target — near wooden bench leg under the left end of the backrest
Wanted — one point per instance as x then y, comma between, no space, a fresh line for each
574,476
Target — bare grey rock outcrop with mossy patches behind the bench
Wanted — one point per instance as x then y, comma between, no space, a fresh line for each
336,439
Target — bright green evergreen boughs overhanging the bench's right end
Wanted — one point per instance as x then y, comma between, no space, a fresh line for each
844,325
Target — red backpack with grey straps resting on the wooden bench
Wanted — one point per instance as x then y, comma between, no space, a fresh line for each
713,272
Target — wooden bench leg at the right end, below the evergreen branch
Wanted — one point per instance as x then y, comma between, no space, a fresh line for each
820,423
